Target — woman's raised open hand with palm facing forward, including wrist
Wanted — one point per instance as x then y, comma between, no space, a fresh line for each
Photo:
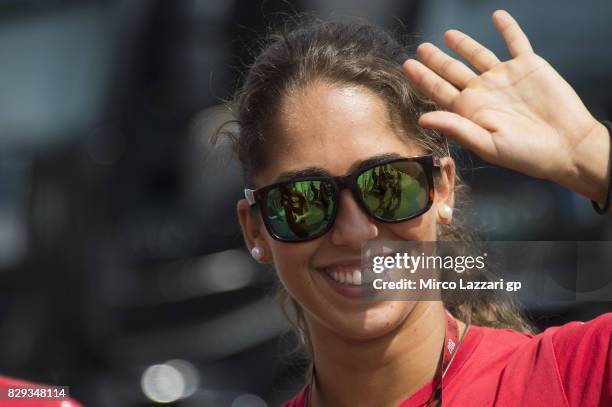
520,114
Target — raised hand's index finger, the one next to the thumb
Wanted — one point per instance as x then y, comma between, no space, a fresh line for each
438,89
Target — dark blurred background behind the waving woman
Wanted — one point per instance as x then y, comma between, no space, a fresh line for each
122,268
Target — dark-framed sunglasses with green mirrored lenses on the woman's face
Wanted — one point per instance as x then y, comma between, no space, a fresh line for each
305,208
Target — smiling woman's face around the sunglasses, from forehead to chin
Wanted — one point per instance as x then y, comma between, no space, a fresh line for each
336,128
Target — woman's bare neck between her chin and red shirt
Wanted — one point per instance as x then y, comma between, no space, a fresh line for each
387,369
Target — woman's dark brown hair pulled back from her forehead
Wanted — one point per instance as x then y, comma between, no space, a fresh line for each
350,53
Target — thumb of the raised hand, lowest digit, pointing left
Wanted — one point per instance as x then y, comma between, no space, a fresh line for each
464,131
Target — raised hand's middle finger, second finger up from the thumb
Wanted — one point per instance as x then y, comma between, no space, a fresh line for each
448,68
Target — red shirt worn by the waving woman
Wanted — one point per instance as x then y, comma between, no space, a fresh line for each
570,365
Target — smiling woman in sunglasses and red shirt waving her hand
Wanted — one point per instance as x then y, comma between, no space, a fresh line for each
337,99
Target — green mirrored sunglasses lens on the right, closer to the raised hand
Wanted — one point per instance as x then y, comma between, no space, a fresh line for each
395,191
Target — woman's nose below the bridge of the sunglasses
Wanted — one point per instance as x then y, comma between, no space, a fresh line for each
353,226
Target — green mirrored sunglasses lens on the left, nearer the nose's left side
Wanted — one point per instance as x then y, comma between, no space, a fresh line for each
300,209
